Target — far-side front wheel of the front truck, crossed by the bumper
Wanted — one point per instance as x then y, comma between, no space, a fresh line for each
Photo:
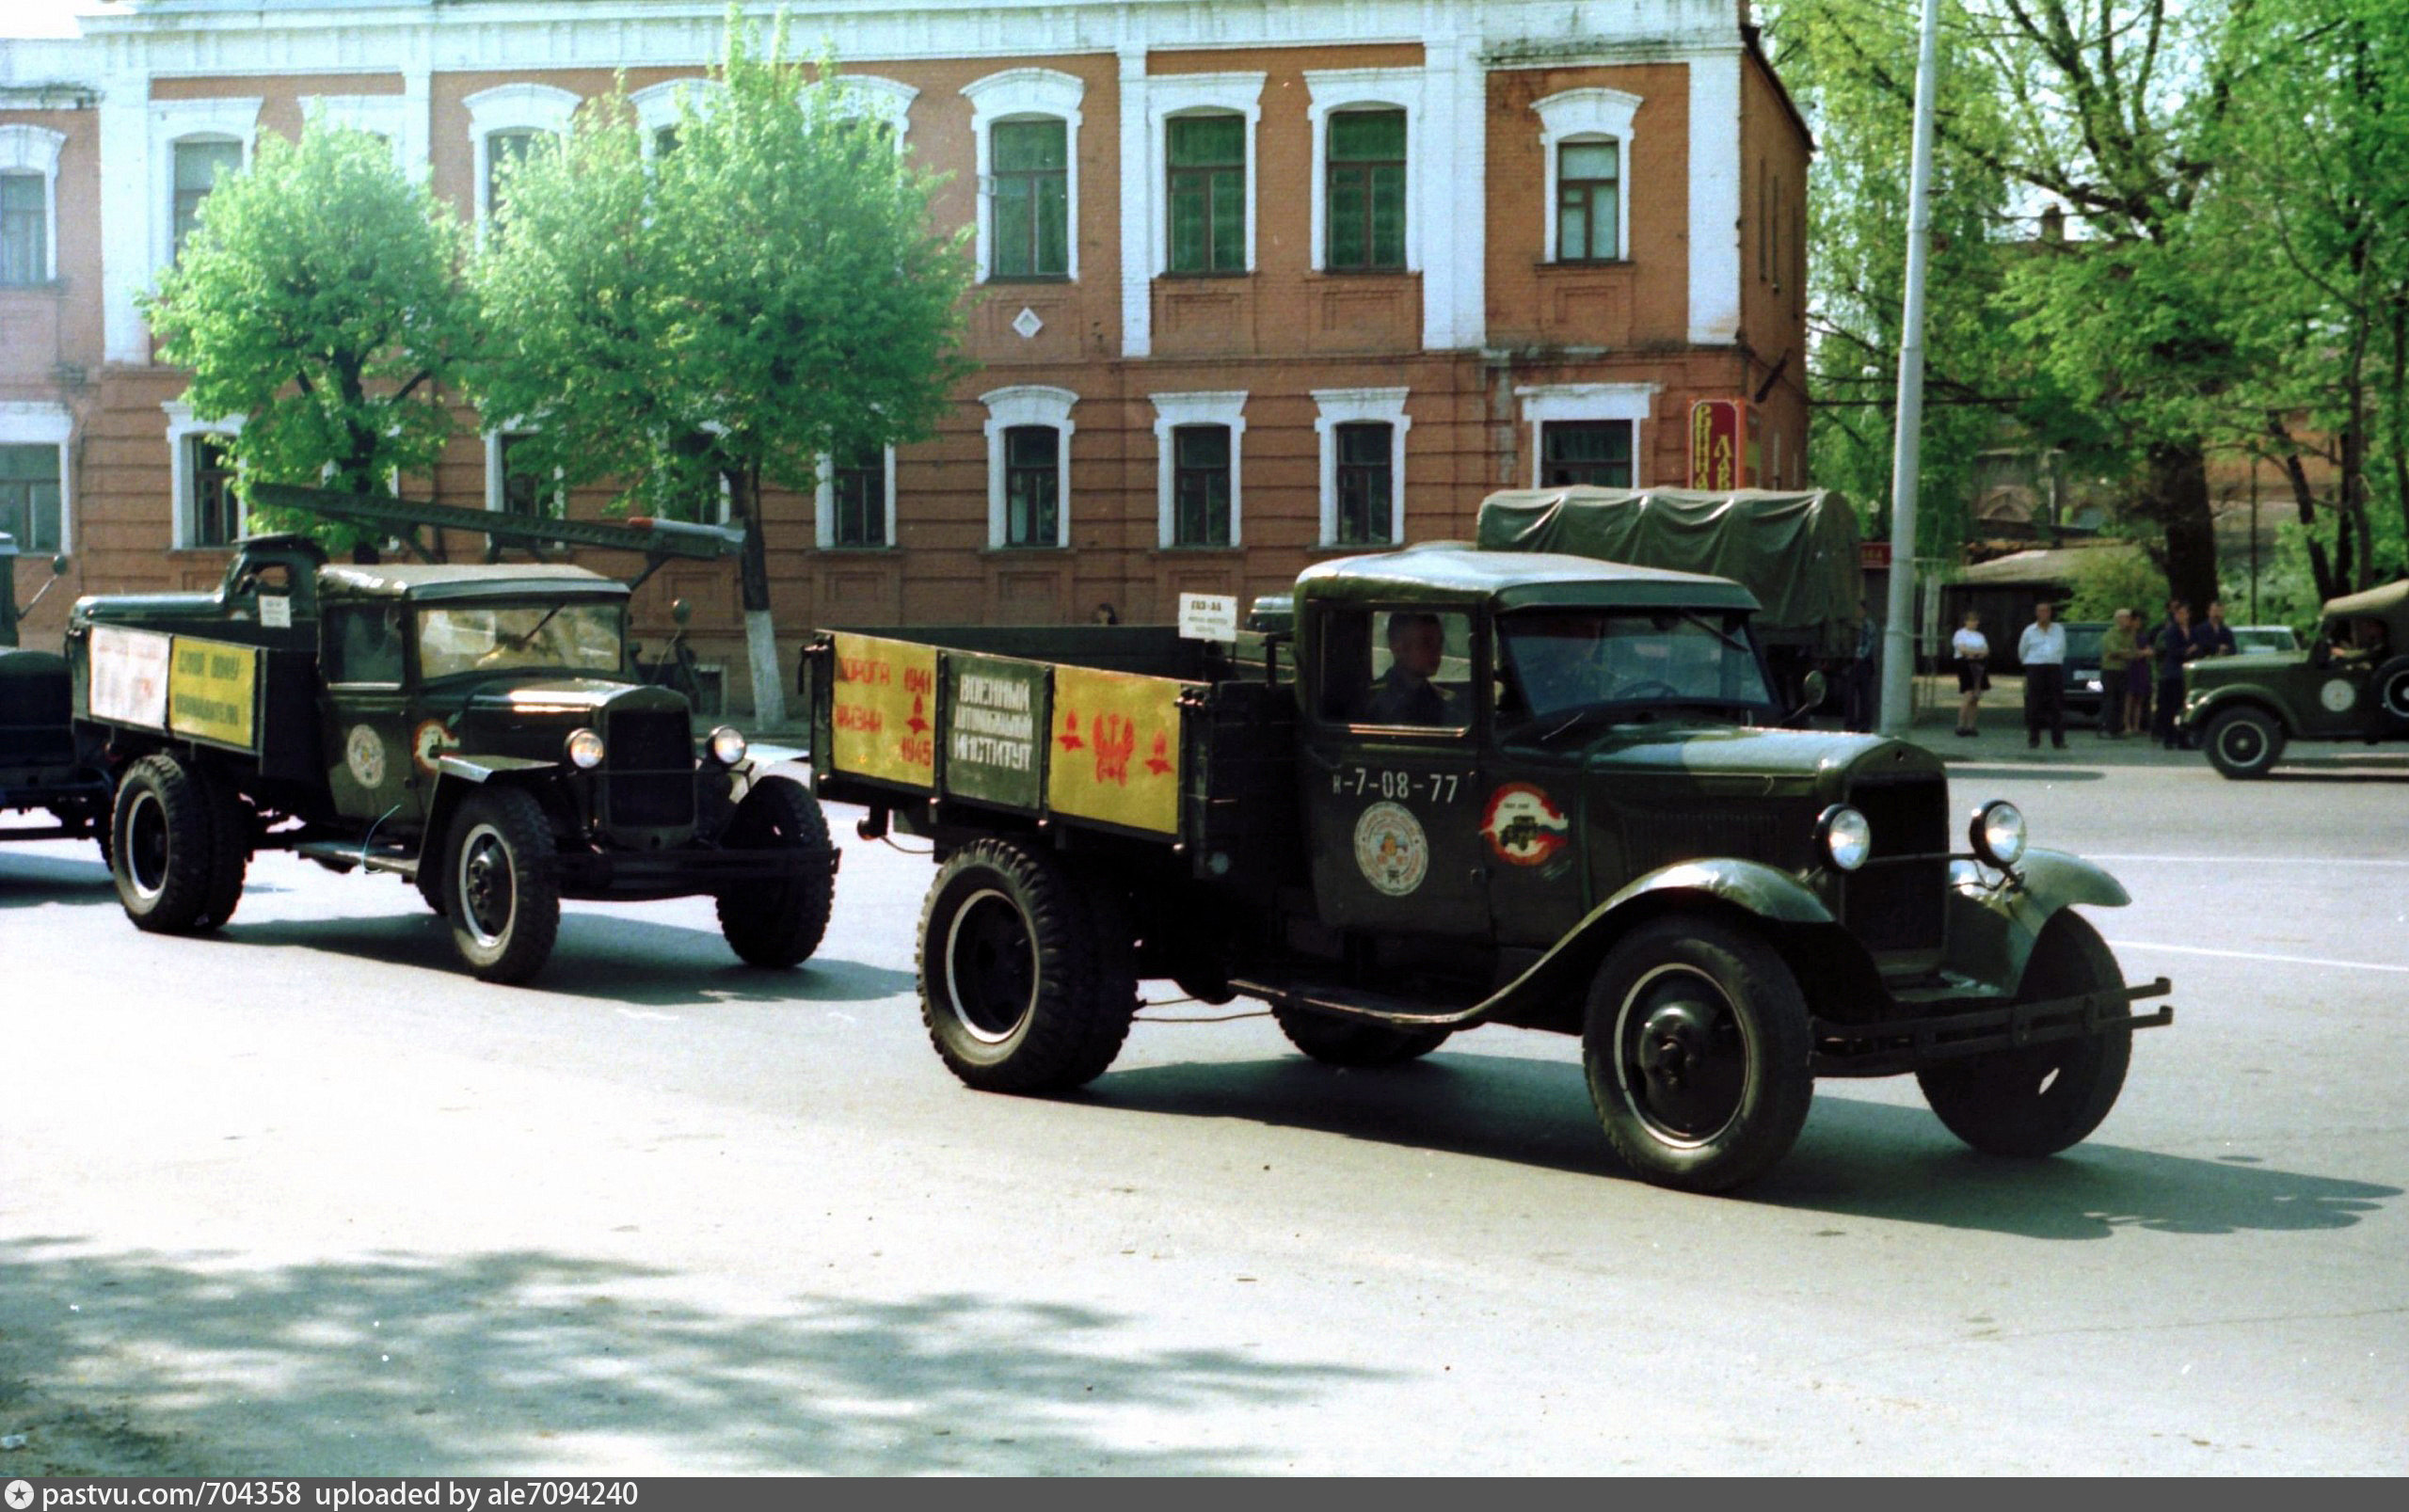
2042,1099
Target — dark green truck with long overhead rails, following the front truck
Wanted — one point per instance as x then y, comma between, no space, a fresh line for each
476,731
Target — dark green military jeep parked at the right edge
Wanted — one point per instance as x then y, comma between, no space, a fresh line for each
2350,685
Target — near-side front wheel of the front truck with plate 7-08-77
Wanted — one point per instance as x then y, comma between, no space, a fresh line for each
1697,1053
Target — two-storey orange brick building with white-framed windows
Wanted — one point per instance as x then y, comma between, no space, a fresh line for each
1259,283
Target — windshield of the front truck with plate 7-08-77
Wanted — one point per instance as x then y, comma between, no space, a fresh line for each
1572,661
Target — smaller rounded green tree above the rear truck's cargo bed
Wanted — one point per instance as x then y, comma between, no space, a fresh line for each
322,300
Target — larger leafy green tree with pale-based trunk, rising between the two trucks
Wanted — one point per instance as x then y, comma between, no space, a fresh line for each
726,314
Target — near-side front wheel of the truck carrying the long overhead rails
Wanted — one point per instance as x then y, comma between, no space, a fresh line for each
502,887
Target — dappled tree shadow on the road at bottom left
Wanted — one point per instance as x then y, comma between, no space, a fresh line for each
524,1362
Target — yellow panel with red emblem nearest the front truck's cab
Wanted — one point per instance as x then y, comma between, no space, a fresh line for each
1117,750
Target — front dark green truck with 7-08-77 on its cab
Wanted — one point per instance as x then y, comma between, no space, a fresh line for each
1478,789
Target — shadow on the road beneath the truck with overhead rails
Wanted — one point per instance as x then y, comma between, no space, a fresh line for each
601,955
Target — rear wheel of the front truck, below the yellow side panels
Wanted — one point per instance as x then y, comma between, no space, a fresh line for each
1027,971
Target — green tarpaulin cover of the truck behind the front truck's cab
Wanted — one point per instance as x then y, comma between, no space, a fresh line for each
1796,553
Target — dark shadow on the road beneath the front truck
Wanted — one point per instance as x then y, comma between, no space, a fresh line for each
1856,1157
